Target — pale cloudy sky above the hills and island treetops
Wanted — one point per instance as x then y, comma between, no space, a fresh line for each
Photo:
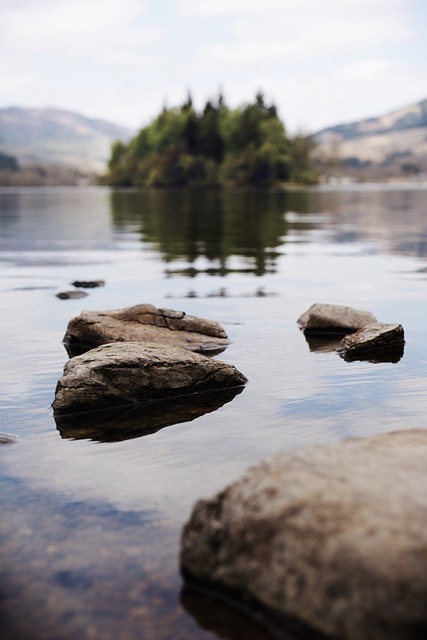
322,62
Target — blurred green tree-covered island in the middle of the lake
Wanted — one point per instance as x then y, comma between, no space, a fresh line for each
217,146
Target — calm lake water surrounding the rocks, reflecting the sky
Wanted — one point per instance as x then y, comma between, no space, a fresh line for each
90,529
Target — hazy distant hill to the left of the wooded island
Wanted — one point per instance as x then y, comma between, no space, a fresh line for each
54,136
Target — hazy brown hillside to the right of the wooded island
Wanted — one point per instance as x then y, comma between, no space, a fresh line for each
394,144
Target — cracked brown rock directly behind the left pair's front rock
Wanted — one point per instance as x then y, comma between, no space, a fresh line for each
145,323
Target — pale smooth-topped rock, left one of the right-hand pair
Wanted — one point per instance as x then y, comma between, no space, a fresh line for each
333,318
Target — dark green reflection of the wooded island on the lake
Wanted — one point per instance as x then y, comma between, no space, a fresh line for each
214,224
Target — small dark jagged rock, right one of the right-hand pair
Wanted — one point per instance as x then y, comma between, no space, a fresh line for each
376,341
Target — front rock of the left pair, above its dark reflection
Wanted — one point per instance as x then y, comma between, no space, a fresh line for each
120,374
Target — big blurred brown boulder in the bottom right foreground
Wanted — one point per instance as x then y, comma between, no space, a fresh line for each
331,537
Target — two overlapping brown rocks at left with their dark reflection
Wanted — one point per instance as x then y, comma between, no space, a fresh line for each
145,374
